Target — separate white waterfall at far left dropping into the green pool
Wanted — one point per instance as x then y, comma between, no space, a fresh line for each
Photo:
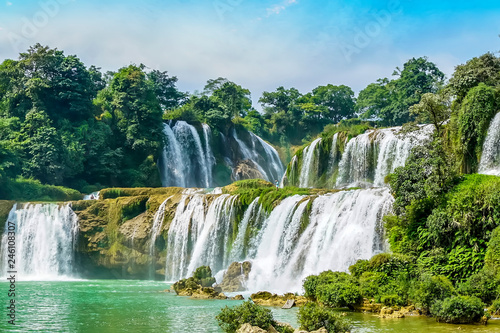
45,240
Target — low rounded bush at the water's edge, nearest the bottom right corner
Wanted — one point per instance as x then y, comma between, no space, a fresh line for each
458,310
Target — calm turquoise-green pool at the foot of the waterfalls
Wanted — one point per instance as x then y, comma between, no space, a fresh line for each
142,306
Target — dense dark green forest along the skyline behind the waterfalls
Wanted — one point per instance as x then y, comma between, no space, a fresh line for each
67,124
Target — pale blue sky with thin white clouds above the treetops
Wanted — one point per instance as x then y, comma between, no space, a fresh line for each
260,44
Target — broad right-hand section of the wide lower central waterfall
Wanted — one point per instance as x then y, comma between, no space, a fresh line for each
343,227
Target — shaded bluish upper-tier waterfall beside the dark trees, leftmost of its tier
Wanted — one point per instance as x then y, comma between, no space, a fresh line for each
184,161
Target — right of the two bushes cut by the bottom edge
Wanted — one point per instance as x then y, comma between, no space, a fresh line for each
312,317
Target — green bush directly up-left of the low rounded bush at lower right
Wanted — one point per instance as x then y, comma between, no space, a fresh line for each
430,289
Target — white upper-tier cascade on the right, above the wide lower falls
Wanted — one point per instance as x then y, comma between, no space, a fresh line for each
365,161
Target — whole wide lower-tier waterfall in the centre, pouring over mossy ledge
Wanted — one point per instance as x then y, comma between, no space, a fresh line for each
302,235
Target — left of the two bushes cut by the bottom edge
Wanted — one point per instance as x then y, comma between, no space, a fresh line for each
230,319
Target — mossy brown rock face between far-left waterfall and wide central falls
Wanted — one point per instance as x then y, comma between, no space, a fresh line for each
114,239
